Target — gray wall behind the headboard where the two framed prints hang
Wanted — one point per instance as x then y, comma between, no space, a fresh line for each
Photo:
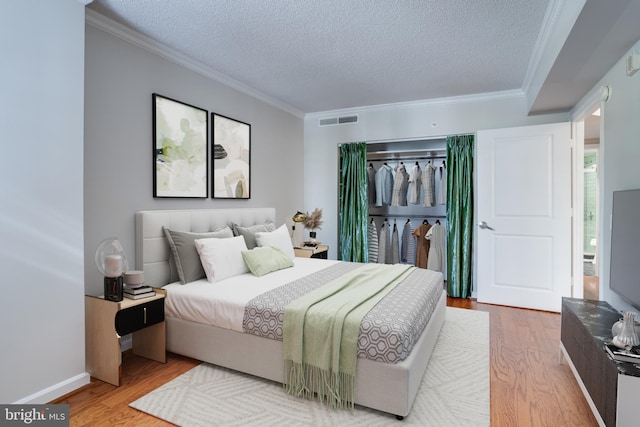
120,78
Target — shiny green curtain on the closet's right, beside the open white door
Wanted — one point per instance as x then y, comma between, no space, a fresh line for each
459,215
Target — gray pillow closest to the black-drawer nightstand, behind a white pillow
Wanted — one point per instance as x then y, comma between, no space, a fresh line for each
184,252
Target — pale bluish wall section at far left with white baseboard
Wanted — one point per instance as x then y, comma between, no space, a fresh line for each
41,218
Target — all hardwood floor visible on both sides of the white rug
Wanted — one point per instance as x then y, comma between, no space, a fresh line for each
529,387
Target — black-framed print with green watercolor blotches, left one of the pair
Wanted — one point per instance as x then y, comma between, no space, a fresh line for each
180,150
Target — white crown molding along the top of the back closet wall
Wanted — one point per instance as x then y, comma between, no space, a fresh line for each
464,99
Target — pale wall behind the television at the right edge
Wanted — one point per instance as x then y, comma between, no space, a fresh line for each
620,153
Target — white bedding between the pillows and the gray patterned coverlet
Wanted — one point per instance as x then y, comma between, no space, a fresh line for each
222,303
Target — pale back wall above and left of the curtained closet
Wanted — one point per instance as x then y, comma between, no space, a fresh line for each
429,119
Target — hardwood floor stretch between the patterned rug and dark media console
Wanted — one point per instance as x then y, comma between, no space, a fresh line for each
529,387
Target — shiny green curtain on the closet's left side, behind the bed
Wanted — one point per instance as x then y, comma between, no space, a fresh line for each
354,208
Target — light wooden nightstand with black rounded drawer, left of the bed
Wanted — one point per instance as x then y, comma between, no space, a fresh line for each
107,321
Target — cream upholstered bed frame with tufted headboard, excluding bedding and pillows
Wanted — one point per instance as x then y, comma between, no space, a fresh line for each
387,387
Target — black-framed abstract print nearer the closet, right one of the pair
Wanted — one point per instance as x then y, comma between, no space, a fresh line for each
231,158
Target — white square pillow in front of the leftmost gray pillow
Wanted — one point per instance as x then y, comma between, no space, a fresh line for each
222,258
